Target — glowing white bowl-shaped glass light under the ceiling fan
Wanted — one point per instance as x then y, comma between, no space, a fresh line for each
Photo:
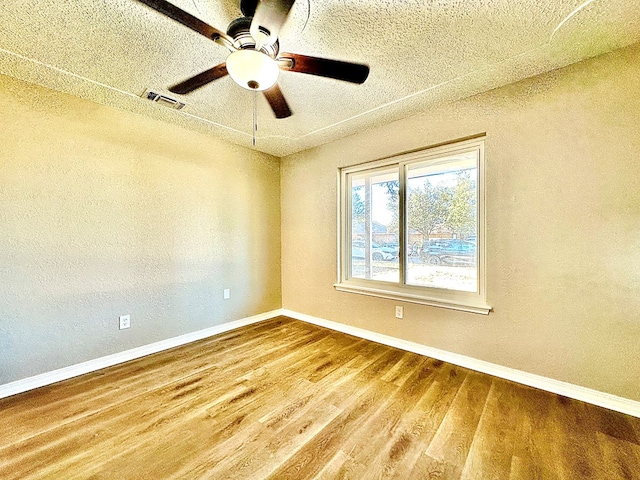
252,69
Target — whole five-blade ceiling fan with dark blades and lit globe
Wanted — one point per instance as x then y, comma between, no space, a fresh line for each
255,60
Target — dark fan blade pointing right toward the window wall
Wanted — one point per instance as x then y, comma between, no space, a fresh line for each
324,67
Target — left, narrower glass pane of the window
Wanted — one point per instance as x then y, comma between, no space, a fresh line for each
374,225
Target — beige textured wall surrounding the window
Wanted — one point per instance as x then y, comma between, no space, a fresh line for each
563,226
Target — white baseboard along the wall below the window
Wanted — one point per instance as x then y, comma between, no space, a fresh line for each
595,397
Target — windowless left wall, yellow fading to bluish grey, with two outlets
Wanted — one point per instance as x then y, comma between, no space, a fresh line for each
104,213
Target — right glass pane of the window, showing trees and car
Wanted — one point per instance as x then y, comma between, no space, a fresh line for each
442,223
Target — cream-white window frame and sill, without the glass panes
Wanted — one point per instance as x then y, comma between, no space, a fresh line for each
474,302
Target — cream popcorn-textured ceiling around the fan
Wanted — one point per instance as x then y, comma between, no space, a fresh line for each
421,52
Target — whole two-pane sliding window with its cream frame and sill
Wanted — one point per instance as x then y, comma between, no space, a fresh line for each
412,227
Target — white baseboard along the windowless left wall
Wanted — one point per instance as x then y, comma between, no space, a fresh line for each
71,371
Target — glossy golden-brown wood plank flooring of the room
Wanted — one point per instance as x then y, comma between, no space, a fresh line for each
283,399
